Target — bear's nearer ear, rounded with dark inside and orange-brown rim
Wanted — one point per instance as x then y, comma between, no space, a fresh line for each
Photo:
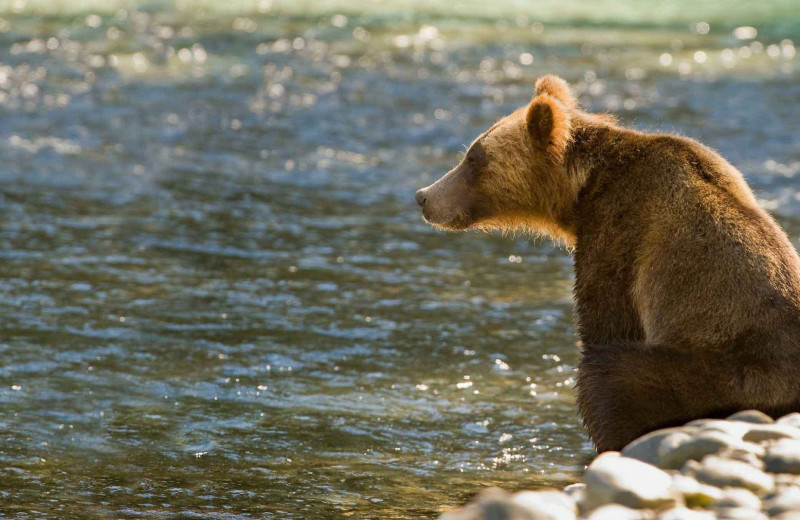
549,125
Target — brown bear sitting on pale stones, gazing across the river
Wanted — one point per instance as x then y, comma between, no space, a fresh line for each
687,293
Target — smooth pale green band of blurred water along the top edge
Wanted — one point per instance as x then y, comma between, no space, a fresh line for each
570,11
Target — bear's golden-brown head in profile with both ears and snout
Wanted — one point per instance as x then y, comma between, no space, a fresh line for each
516,175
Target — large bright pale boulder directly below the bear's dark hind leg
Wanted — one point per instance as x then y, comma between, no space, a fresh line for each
611,478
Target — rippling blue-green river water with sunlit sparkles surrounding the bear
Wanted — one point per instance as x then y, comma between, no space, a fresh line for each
218,297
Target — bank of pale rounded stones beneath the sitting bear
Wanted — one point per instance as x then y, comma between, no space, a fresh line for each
745,467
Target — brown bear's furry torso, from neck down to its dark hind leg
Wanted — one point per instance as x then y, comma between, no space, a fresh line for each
671,237
